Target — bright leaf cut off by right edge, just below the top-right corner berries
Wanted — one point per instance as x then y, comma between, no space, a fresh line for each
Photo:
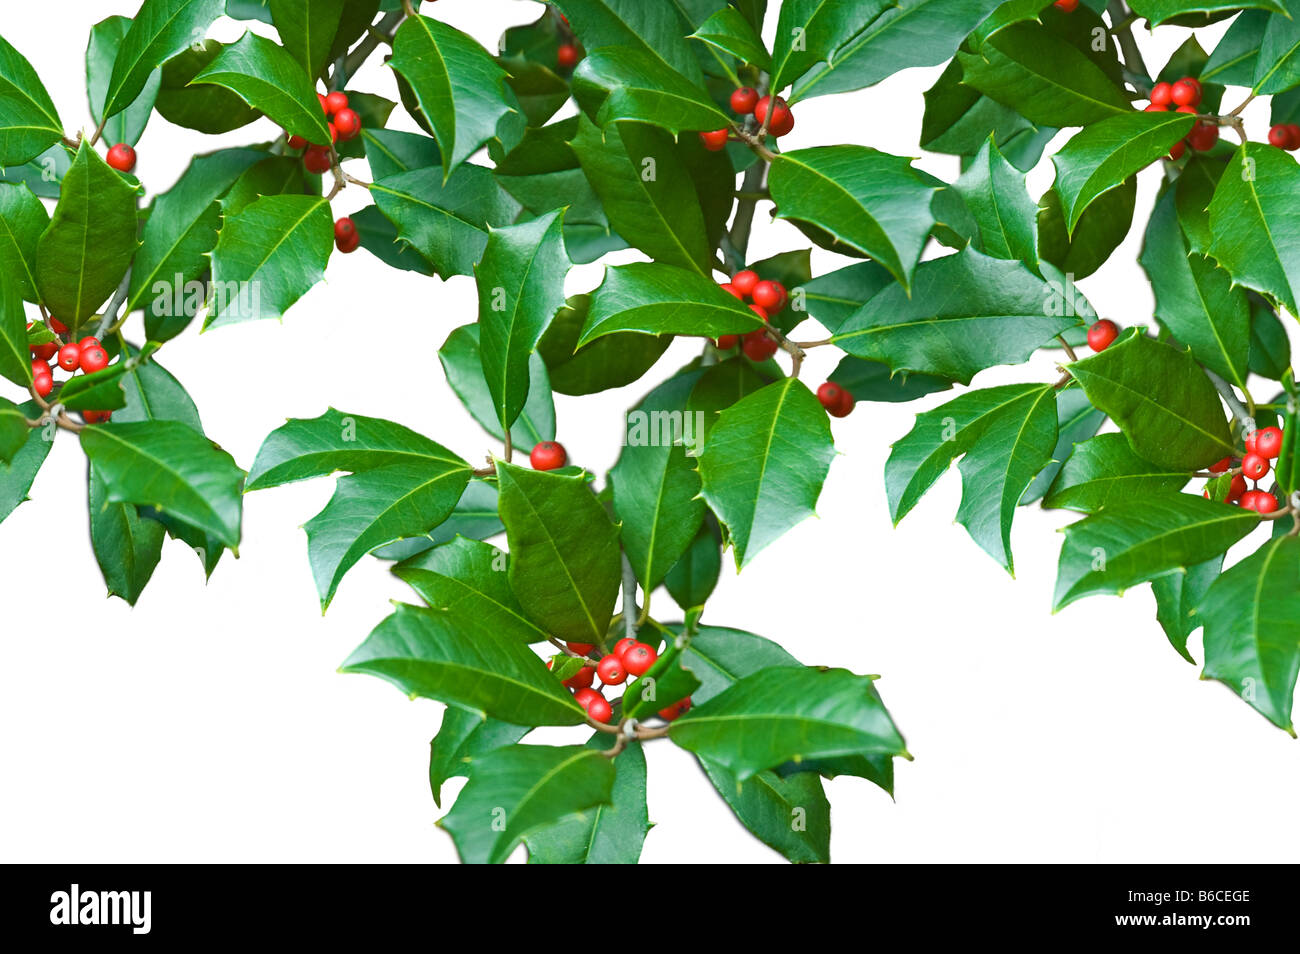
1251,222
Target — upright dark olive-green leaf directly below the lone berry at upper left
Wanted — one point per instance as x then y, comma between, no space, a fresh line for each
85,253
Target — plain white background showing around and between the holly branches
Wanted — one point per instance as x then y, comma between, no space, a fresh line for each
210,723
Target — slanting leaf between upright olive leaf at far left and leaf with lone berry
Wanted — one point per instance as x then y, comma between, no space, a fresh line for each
179,236
